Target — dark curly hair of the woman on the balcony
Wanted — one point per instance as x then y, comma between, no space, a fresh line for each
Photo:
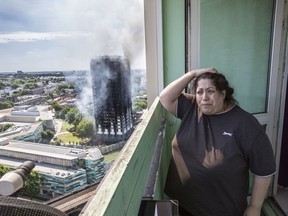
220,82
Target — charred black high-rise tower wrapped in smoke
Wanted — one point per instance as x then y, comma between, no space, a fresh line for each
112,98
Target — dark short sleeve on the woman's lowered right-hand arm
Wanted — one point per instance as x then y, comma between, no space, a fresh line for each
261,157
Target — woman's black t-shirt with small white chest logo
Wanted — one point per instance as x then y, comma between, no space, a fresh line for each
212,156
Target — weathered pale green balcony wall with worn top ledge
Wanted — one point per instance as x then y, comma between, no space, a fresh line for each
121,190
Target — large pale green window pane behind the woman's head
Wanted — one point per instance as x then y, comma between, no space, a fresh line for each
235,38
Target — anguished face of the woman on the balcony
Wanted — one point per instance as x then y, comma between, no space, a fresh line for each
209,99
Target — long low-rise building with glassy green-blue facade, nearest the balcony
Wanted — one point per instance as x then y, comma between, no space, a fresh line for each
61,169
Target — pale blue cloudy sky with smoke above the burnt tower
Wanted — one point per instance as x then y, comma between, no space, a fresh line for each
53,35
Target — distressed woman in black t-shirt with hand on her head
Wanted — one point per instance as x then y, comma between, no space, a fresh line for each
215,146
